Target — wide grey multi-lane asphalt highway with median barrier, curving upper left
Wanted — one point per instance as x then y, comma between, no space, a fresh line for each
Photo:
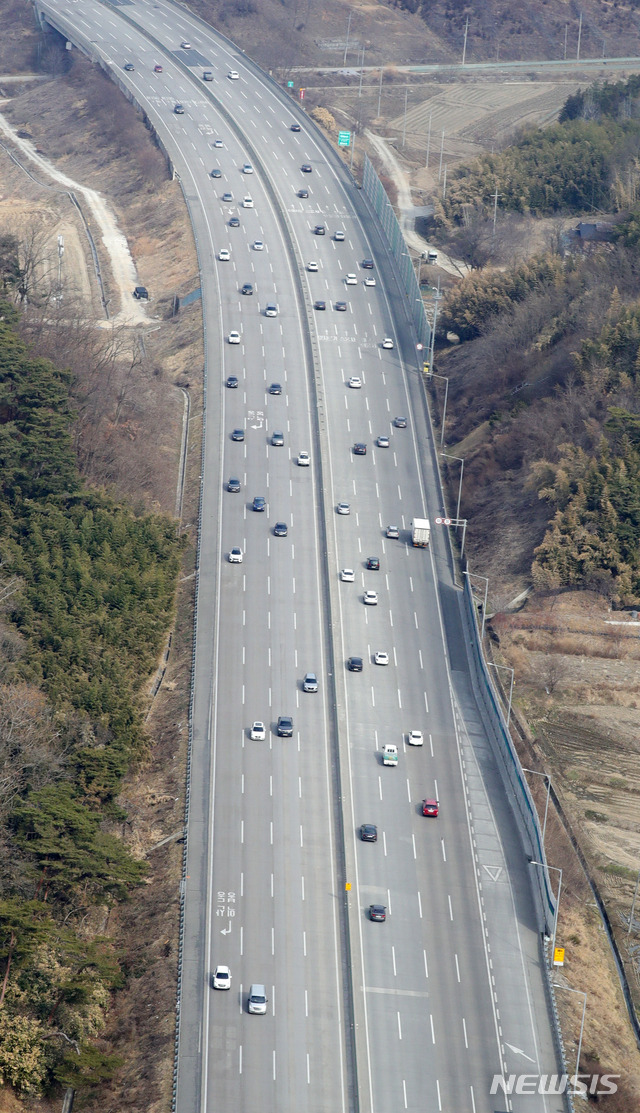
422,1010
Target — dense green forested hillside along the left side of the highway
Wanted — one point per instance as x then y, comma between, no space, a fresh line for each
87,590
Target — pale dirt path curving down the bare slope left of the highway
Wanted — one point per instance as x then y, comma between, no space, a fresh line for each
122,264
